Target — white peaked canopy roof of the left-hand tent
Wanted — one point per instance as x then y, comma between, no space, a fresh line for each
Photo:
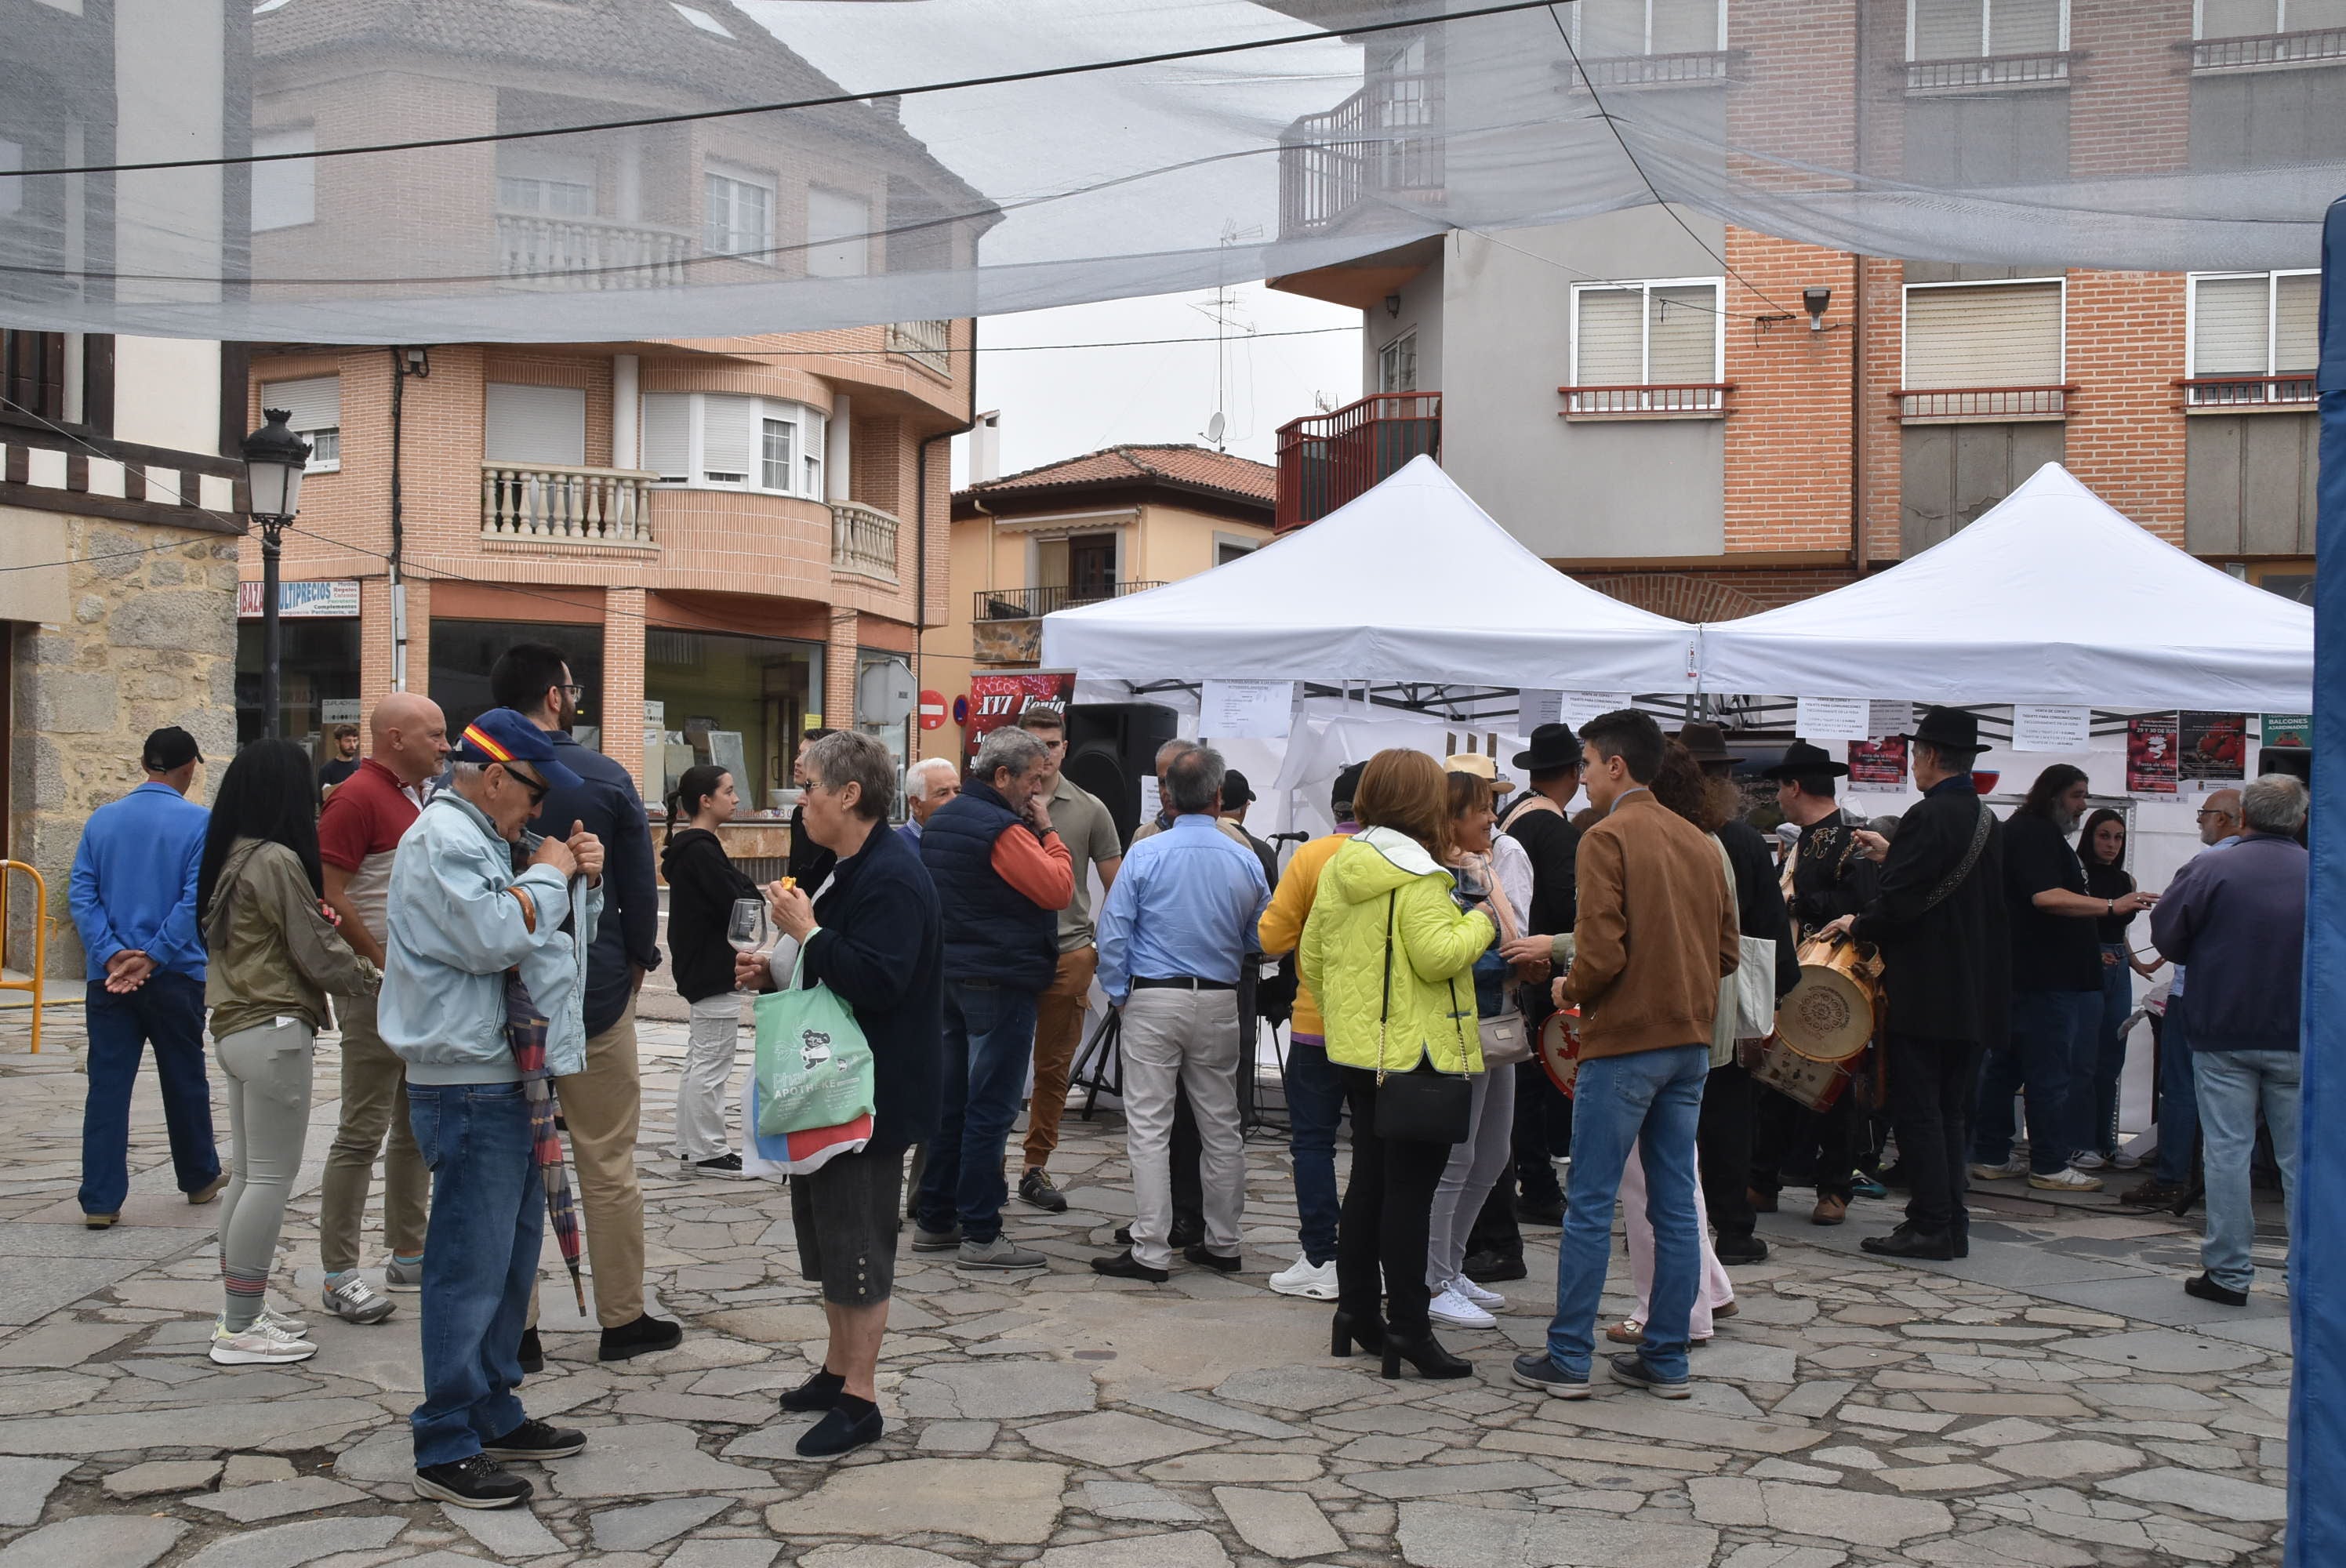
1411,583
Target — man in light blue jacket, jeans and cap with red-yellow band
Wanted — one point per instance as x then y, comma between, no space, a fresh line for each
461,917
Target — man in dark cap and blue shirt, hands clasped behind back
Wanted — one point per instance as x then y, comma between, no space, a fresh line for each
135,903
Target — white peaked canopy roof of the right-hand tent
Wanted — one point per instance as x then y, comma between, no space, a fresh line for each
2052,597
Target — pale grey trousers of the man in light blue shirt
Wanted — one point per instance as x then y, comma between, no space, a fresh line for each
1186,1039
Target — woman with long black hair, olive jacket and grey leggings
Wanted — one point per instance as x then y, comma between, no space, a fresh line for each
273,959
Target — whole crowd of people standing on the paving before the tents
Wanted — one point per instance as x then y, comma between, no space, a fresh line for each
477,917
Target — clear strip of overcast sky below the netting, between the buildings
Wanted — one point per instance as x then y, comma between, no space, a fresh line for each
1059,403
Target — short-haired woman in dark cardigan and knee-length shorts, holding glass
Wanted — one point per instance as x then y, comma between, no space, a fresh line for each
876,942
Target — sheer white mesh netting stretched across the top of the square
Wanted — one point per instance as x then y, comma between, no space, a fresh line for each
421,170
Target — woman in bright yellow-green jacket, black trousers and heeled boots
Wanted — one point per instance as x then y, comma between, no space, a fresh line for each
1390,954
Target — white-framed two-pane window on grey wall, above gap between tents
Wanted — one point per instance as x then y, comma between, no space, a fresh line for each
1648,349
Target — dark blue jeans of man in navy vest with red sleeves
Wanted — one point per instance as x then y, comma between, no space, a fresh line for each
989,1041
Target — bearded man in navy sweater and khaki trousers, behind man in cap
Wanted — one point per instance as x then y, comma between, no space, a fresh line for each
604,1102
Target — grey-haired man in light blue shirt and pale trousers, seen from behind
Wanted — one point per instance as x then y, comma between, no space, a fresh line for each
1174,933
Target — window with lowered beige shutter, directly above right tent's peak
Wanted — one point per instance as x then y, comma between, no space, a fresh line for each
1984,351
